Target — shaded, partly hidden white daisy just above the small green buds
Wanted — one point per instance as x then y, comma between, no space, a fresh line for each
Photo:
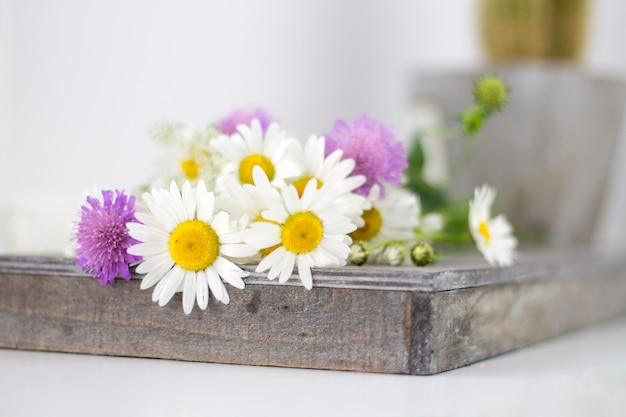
393,218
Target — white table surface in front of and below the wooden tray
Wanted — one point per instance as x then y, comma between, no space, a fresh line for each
578,374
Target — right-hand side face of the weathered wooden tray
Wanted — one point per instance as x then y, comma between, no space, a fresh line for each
477,323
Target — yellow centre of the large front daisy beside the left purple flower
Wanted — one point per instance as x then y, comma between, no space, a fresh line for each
194,245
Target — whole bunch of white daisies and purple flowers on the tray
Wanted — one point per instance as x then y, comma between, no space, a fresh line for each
243,191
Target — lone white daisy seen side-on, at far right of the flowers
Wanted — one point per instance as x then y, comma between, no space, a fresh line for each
493,236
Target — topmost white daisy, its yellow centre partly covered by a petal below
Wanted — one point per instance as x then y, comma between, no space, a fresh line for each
250,147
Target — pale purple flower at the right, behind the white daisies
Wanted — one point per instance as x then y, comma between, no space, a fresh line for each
372,147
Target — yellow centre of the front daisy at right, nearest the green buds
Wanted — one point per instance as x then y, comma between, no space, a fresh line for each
302,232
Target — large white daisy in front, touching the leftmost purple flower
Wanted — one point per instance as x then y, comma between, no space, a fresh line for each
185,246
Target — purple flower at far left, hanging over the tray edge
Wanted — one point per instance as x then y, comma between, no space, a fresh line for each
103,238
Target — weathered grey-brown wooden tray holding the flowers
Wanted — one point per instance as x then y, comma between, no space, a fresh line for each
403,320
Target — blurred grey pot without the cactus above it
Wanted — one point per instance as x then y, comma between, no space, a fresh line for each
548,153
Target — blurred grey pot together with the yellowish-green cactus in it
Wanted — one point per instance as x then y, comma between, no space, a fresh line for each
552,153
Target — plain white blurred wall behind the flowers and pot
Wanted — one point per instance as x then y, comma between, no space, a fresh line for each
82,81
